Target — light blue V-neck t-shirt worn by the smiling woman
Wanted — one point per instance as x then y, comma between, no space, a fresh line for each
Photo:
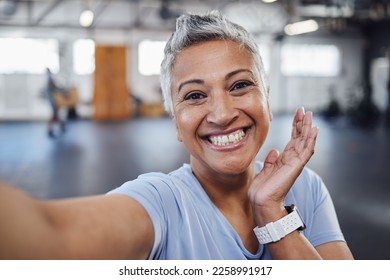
187,225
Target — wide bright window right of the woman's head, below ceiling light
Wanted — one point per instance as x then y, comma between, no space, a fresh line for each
310,60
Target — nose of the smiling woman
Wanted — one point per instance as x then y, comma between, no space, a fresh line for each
222,109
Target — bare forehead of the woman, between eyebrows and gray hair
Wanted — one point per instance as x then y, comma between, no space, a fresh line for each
210,58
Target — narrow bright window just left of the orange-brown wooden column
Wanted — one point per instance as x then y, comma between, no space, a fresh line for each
84,56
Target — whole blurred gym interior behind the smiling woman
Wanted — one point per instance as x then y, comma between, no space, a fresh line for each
330,56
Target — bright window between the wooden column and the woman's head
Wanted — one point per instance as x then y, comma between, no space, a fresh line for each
150,56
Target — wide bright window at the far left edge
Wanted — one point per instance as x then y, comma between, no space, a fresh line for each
33,56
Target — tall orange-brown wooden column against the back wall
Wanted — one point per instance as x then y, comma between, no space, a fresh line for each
111,100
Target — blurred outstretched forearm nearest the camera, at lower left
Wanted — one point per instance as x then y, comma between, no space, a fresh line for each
24,231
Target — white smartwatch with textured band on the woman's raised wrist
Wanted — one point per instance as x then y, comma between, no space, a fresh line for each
274,231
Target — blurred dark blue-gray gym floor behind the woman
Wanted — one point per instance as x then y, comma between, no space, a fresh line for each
94,157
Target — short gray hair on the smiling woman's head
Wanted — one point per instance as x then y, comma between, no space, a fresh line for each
192,29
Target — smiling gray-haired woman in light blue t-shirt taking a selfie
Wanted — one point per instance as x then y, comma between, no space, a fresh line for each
224,204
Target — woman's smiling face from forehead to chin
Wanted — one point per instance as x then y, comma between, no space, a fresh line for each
221,116
